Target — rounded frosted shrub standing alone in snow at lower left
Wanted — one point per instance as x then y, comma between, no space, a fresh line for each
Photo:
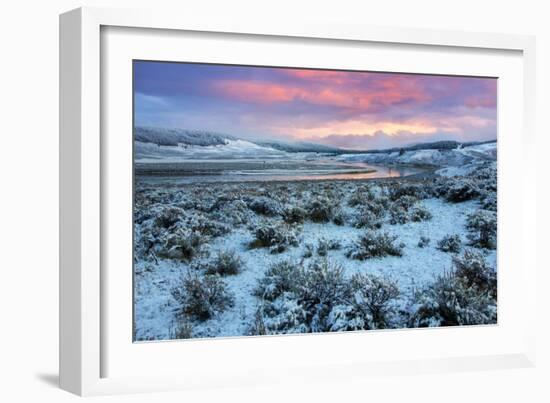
201,297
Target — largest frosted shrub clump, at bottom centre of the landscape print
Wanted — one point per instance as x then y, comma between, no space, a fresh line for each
318,298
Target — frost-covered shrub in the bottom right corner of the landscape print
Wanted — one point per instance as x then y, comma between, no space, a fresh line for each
450,302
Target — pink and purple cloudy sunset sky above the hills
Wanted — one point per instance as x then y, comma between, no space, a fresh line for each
347,109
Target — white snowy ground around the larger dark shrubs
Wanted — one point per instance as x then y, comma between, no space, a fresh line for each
230,223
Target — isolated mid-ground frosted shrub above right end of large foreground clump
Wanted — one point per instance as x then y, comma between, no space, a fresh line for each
374,244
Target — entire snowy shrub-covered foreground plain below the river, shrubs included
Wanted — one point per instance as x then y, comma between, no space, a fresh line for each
247,258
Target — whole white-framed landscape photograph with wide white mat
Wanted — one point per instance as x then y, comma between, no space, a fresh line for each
243,204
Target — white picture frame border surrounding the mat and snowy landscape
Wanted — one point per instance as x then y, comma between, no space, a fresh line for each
83,176
